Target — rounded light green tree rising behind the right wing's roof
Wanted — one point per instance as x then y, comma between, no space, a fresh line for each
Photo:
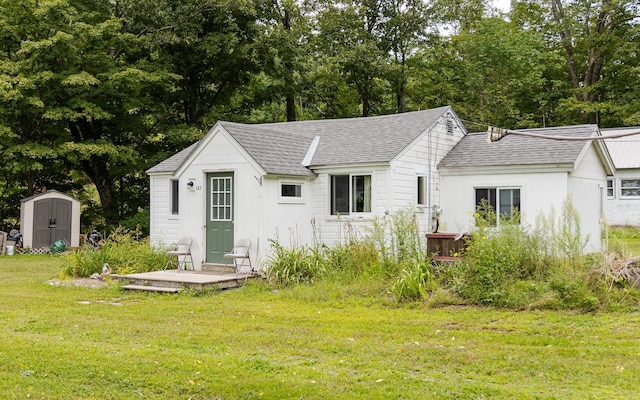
495,74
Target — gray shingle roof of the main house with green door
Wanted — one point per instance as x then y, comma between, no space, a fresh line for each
279,148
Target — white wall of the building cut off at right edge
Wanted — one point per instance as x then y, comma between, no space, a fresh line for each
623,211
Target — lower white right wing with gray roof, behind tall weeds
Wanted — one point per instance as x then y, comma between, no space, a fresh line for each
530,174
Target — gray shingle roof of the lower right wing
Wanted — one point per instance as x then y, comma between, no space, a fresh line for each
474,150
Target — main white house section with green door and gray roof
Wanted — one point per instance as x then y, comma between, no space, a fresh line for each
299,182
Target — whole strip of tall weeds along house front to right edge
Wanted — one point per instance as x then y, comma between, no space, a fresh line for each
511,265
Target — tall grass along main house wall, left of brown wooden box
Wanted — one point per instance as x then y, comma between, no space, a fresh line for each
390,246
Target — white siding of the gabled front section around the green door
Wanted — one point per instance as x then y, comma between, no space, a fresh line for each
259,214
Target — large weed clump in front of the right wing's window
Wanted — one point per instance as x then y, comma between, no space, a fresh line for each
544,267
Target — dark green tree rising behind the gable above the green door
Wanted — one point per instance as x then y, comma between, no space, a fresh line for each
208,44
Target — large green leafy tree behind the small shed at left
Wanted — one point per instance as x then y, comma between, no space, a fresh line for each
79,94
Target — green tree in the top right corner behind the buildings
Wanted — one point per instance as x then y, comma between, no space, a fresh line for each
599,41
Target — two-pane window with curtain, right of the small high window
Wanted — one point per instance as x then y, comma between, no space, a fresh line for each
350,194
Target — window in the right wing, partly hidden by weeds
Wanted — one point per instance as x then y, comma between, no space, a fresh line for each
495,204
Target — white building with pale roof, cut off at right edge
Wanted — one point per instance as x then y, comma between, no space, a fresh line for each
622,207
